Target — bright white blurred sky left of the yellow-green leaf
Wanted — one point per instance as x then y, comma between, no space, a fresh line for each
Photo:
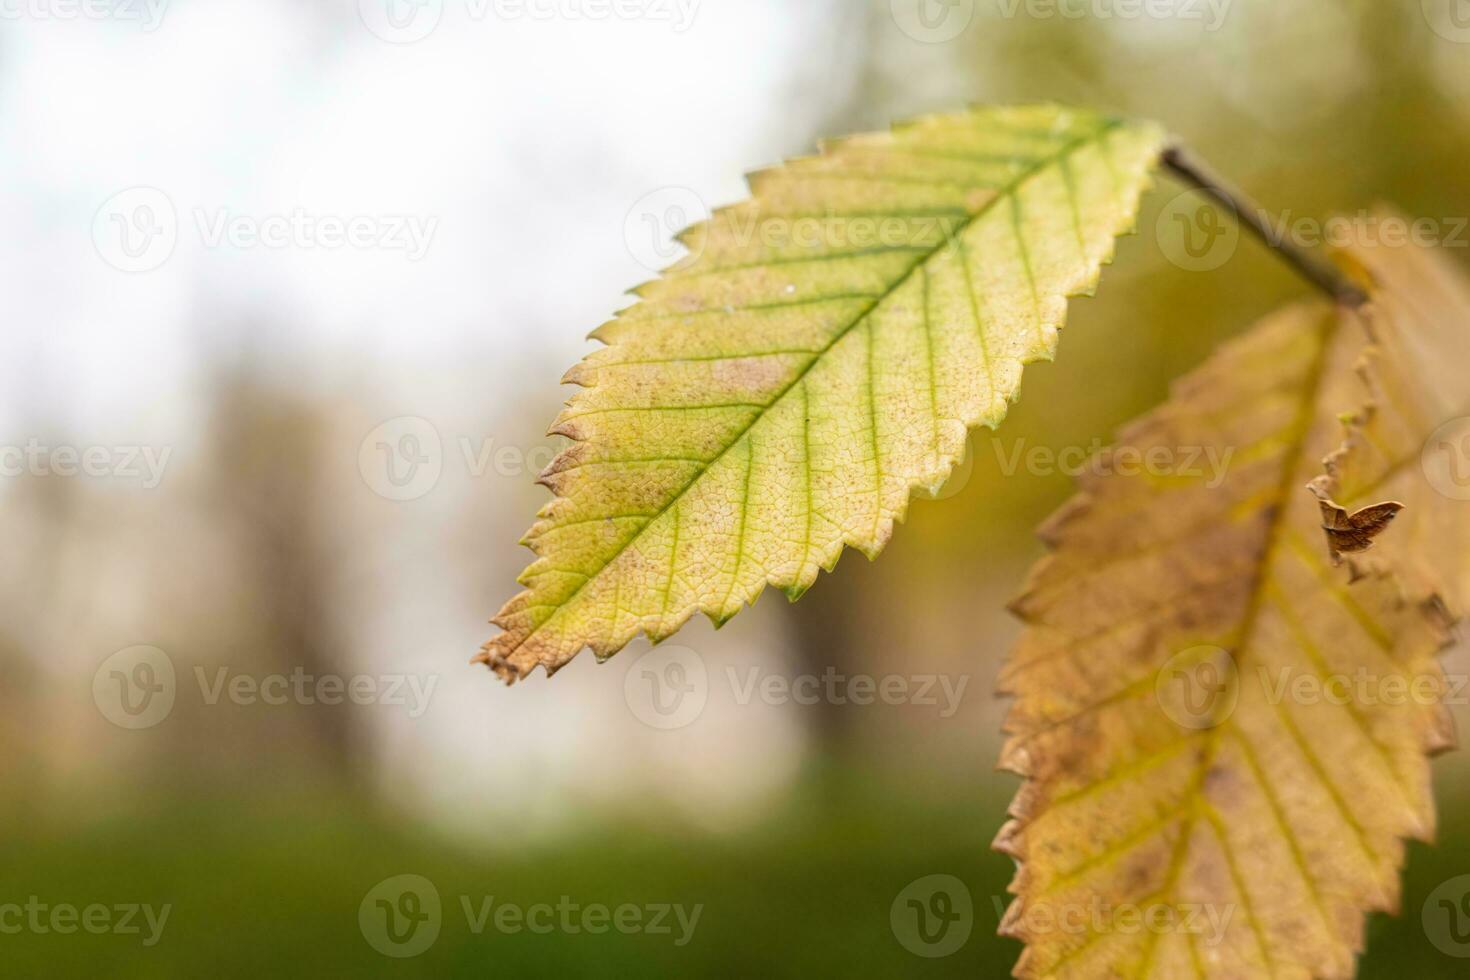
523,142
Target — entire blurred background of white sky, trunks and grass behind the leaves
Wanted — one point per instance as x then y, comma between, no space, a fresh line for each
290,286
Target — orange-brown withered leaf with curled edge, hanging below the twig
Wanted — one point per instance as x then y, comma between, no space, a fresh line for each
1225,737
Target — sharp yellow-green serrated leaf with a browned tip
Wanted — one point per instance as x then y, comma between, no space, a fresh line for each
820,356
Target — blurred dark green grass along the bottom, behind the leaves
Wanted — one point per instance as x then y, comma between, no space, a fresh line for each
271,887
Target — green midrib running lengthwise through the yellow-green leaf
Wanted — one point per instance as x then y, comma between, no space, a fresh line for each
1002,195
